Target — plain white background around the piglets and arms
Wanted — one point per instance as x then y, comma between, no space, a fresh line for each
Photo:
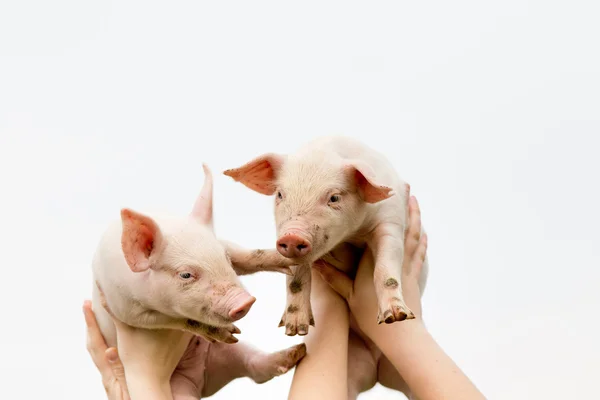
490,110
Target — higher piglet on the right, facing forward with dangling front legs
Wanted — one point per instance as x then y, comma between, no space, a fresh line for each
334,190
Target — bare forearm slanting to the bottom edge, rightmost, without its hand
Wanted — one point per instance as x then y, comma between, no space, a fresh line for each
427,369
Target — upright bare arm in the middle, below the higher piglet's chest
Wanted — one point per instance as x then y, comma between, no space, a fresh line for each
323,372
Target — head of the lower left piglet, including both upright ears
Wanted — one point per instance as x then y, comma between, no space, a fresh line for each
187,271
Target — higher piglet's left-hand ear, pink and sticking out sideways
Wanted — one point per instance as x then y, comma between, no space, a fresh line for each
259,174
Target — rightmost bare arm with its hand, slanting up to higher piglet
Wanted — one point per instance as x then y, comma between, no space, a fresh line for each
426,368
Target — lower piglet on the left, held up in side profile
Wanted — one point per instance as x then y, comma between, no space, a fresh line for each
165,272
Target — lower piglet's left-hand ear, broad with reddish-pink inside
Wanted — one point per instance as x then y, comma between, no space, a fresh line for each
140,239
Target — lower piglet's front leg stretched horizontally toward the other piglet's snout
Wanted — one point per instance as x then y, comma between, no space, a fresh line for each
247,262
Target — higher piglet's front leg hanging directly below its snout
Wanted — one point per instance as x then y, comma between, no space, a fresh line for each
298,312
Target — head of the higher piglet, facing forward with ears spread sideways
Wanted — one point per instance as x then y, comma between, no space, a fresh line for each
318,200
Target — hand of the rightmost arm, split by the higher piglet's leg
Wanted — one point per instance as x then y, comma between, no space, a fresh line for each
360,293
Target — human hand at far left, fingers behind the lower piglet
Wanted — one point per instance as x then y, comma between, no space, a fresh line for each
106,359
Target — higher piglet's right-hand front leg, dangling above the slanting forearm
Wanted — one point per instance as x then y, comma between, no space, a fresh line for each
387,245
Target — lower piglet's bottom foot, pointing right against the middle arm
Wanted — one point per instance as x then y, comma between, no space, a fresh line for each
267,366
